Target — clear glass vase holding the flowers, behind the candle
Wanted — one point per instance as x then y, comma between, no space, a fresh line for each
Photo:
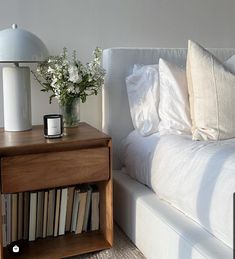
71,113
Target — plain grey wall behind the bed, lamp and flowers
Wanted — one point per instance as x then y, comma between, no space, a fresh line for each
84,24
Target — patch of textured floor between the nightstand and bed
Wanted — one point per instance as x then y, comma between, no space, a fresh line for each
123,248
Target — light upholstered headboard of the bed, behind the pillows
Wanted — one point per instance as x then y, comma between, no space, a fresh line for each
118,63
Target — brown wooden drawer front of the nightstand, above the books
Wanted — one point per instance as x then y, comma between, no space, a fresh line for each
48,170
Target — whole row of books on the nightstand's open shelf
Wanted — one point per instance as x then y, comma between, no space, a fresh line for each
38,214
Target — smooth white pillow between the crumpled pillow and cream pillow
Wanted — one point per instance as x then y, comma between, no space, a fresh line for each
174,111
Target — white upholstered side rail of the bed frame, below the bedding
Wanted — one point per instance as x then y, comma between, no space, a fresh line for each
170,234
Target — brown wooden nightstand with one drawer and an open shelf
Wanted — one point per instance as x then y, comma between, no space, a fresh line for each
31,162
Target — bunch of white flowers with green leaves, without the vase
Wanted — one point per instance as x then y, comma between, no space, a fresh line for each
70,79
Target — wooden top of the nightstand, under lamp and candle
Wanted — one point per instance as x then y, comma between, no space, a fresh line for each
33,141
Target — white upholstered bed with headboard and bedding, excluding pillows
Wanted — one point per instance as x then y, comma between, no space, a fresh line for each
159,228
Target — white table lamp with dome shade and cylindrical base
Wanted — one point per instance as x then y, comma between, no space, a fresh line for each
18,46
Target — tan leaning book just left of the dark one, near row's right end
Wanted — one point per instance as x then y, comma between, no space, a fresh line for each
81,210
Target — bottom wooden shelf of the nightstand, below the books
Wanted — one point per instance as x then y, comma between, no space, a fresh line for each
62,246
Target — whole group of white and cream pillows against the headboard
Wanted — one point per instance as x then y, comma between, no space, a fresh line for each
198,101
